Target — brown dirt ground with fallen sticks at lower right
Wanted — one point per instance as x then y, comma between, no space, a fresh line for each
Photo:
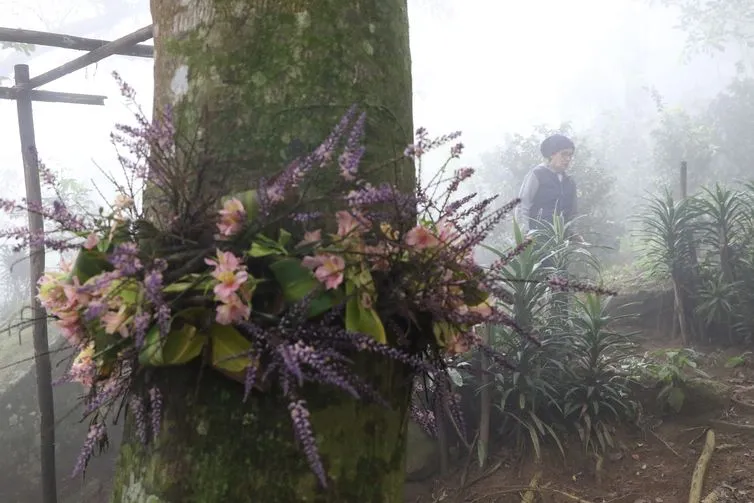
650,466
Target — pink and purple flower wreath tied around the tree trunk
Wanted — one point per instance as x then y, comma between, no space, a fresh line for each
279,289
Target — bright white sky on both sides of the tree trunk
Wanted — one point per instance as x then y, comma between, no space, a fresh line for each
485,67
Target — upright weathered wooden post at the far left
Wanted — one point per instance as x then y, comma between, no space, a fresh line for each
39,316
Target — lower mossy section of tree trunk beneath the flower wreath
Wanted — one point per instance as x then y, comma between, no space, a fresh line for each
212,448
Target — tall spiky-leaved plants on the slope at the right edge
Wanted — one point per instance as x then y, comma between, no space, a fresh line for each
704,244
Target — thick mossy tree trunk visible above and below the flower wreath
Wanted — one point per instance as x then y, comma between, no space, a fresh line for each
264,80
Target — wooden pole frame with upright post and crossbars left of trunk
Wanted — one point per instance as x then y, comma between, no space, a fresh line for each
24,93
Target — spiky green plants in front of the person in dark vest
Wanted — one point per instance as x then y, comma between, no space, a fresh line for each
570,380
